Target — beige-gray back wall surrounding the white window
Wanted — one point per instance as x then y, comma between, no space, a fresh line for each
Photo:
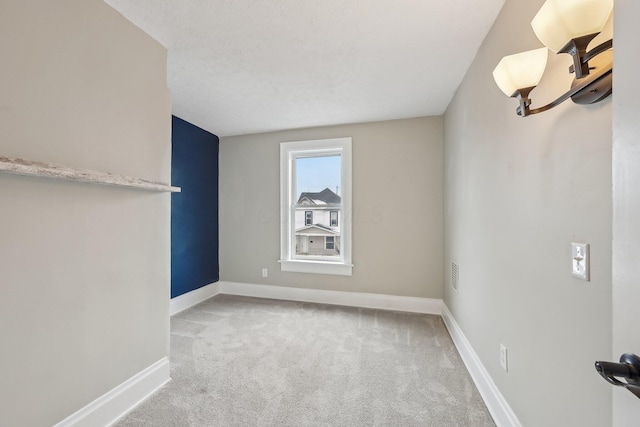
397,203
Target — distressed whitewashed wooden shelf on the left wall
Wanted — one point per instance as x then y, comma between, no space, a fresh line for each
45,170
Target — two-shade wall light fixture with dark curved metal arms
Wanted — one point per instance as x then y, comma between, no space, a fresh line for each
563,26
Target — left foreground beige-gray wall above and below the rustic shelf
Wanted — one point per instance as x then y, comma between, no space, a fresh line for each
84,269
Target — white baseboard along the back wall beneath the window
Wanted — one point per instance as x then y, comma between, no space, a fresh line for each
352,299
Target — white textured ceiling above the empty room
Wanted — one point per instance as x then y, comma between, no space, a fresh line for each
246,66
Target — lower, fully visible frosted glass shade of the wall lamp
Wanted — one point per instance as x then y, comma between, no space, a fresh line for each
520,71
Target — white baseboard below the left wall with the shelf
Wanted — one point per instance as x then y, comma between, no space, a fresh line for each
108,408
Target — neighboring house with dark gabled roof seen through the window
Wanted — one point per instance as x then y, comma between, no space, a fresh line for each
317,224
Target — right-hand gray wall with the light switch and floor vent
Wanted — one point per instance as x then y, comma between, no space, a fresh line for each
517,193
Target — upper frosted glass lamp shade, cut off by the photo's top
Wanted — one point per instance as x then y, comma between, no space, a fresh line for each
559,21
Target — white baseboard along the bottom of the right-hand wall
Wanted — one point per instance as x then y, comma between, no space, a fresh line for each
498,406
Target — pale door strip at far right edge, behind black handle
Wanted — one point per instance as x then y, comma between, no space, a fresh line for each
626,202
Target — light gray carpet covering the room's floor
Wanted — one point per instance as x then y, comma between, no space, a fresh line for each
239,361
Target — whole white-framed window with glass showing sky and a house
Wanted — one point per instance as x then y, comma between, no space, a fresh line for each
315,181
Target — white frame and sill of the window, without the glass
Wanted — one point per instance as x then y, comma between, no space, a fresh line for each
289,152
